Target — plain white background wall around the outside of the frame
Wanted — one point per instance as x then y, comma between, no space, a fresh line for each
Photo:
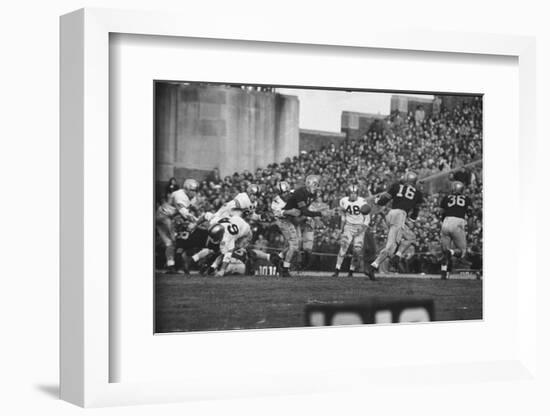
30,48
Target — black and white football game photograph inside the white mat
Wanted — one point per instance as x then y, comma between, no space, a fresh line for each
296,206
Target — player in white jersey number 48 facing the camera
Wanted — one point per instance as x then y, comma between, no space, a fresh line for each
354,225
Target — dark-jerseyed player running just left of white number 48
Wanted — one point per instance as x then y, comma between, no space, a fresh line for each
295,211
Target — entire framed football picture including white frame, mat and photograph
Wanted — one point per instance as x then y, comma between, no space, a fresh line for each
222,194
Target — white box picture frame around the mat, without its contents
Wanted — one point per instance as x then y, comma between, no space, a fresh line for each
85,263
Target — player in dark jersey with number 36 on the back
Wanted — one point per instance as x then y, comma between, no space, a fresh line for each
454,207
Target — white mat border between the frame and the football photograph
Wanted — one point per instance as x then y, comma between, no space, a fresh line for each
140,59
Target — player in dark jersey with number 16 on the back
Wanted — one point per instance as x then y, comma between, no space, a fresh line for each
406,199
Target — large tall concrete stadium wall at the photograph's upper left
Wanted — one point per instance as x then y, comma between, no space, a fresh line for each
200,127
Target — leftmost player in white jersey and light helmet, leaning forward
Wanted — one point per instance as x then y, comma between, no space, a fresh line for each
177,203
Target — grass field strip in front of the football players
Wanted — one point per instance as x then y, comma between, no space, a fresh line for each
242,302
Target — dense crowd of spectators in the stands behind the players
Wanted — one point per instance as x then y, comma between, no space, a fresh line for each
433,146
